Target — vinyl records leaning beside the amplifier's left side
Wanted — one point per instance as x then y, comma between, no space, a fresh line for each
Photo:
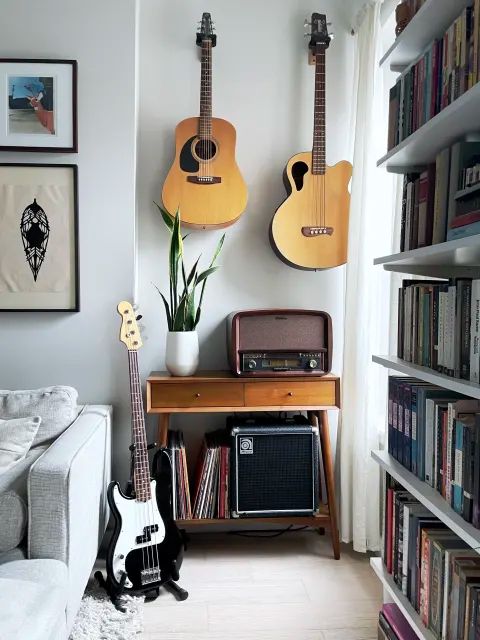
212,477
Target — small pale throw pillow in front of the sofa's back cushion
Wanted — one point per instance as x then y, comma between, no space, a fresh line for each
16,438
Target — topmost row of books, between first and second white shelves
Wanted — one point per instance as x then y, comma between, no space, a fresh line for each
448,68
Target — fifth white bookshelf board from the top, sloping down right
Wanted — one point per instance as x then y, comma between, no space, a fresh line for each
430,498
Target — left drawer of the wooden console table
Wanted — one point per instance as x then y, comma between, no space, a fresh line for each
197,394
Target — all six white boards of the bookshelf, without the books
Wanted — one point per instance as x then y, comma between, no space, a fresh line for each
458,258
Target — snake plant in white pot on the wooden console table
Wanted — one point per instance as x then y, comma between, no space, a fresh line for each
183,314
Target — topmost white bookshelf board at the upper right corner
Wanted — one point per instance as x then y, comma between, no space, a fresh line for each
429,23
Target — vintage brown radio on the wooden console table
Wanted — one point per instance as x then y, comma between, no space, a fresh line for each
271,342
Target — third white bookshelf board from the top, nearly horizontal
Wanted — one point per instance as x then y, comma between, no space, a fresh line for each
460,258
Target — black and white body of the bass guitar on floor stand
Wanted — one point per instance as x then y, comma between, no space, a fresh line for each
134,560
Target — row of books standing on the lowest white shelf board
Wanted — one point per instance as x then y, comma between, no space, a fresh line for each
432,567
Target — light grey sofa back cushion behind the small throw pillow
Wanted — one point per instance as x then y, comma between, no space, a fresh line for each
57,406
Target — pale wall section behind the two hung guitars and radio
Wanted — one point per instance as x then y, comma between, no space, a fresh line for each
263,85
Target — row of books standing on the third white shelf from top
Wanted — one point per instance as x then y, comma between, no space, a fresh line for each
441,203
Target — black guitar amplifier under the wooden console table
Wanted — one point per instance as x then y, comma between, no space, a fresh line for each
274,467
